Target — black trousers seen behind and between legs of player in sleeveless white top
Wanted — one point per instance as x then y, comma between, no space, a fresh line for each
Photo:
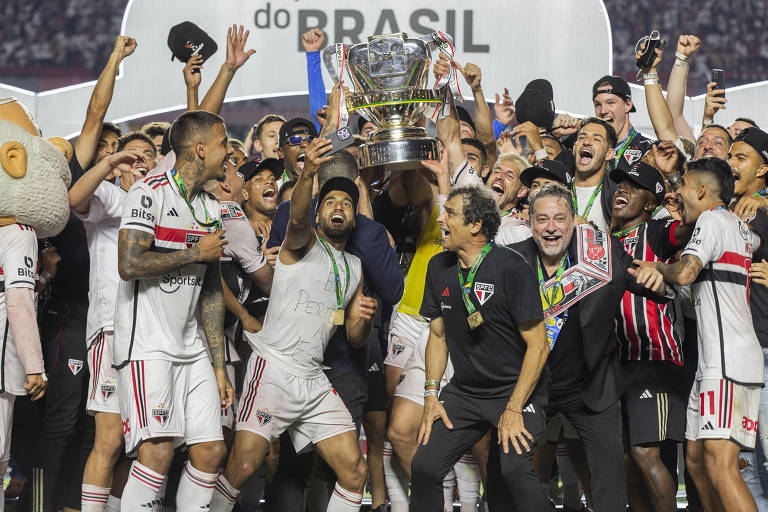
295,471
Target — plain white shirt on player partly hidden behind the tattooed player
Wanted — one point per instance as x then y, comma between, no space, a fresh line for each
102,224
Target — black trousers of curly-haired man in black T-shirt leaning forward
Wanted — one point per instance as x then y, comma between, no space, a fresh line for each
512,483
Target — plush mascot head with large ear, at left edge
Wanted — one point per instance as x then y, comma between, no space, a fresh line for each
34,175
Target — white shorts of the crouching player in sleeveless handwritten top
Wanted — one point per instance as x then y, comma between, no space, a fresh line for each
274,401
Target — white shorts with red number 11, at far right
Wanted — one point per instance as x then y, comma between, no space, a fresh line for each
721,409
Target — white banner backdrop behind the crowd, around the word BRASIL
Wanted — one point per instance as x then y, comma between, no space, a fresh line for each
515,41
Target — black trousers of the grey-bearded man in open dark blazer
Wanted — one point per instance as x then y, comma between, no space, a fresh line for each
600,433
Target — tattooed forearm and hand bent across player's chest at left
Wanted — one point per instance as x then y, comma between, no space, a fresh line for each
135,260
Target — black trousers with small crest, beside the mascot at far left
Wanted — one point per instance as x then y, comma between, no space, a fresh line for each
52,437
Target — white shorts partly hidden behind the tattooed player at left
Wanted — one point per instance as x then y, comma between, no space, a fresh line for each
102,385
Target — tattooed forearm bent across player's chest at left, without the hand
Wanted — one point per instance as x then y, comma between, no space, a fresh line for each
136,261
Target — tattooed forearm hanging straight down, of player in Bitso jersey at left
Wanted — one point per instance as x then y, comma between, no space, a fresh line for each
212,314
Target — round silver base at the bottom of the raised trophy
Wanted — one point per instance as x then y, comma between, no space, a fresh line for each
397,149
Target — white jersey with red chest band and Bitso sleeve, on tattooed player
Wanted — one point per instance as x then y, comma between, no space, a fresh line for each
155,317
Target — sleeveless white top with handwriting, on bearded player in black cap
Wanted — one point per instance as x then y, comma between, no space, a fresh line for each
298,322
